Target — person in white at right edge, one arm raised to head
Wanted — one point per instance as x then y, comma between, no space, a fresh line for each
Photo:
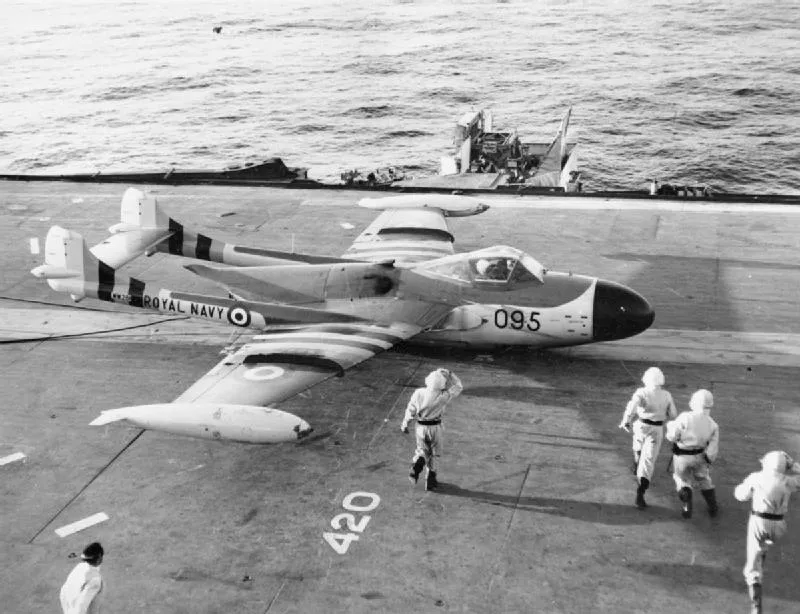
769,490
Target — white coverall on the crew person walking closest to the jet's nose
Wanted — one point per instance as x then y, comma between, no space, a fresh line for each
647,405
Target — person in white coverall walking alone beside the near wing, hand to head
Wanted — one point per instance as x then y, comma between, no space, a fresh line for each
427,407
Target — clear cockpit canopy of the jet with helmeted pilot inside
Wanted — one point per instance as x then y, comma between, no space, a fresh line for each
494,266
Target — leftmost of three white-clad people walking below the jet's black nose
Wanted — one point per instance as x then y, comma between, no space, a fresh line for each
647,410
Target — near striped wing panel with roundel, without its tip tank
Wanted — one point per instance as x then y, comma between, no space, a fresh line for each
282,363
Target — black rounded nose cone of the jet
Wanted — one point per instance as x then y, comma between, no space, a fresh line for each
619,312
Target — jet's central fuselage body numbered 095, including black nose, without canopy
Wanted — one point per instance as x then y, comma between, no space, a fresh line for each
566,309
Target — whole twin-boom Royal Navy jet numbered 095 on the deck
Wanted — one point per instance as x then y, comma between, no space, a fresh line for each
317,316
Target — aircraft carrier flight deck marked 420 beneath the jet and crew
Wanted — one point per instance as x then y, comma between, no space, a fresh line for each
536,508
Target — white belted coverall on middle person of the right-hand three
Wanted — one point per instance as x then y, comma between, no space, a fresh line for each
693,431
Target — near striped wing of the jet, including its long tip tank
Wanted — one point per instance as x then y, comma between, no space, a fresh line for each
228,403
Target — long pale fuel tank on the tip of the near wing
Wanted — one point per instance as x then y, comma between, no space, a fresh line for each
218,421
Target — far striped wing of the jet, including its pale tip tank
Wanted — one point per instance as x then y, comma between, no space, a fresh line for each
411,228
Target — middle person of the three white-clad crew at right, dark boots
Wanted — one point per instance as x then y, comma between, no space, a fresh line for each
695,439
